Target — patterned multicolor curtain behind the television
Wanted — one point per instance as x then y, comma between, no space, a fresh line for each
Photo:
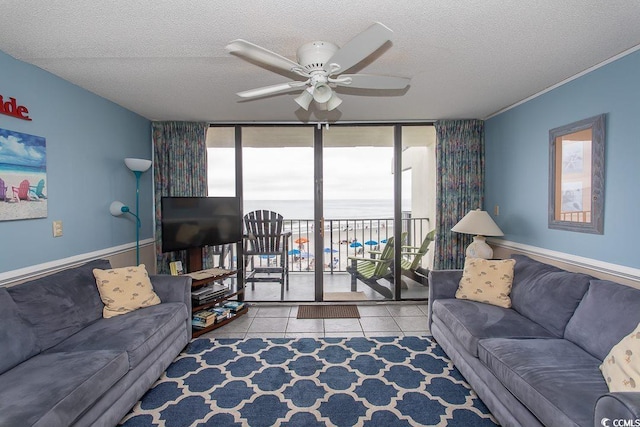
180,168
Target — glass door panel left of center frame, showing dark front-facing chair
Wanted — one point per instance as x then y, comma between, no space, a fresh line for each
278,170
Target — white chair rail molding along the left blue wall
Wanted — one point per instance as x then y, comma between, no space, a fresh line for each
13,276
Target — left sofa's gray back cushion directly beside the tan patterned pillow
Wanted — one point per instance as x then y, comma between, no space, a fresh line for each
66,302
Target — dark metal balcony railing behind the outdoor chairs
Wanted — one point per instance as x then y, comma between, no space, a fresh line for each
343,238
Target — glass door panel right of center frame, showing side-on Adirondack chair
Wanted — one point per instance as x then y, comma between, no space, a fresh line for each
358,209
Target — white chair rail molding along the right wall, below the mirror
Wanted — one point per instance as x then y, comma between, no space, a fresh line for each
596,266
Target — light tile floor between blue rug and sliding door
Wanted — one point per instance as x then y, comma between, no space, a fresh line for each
279,321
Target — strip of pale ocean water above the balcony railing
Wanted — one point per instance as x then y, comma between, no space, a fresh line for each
333,209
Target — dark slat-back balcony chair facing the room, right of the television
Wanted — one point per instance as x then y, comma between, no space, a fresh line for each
265,237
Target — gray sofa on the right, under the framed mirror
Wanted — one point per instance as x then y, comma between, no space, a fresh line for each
537,363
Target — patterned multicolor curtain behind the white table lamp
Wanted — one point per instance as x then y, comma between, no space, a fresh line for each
459,185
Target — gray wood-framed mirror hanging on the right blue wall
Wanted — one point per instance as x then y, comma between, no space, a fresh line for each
576,176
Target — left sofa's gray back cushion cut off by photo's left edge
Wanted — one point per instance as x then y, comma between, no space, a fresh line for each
17,340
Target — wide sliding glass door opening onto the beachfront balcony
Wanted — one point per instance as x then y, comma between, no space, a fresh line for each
342,202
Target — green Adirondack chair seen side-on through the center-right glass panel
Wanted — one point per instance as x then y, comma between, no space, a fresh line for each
370,270
